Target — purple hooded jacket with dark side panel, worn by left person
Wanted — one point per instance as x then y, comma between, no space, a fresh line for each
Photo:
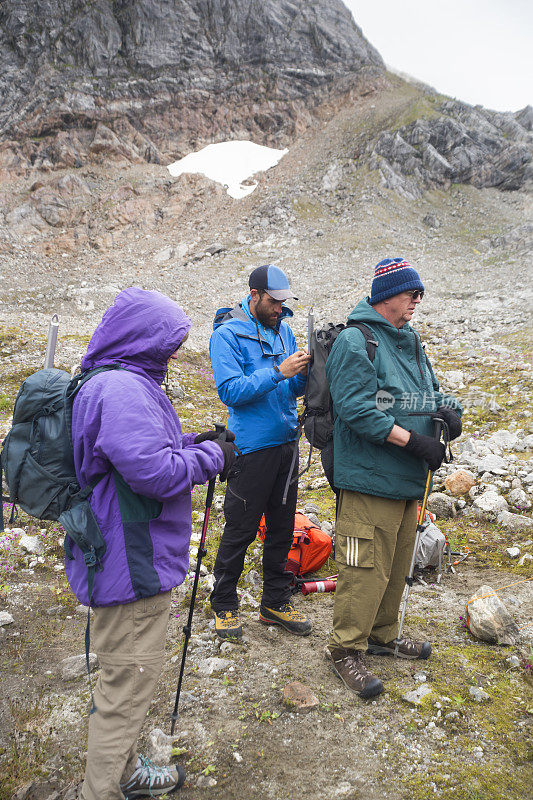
124,427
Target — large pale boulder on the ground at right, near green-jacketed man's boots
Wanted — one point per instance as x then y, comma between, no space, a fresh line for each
488,619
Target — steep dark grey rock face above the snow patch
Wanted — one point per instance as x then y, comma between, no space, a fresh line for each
136,79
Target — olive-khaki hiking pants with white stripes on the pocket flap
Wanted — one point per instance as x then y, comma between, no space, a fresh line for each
374,540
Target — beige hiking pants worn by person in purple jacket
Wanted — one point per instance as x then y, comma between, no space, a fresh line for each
130,642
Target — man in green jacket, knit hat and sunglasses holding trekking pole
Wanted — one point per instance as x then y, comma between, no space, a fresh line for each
383,446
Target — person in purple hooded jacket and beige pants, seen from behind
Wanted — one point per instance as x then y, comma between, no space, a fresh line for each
125,428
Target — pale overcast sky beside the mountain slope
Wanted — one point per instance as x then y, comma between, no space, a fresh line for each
479,51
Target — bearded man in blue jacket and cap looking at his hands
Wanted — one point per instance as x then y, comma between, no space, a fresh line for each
259,373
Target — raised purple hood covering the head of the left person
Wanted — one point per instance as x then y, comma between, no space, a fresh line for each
140,330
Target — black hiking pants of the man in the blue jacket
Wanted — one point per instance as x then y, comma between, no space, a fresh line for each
256,483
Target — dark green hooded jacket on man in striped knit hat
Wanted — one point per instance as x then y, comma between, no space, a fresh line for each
398,387
